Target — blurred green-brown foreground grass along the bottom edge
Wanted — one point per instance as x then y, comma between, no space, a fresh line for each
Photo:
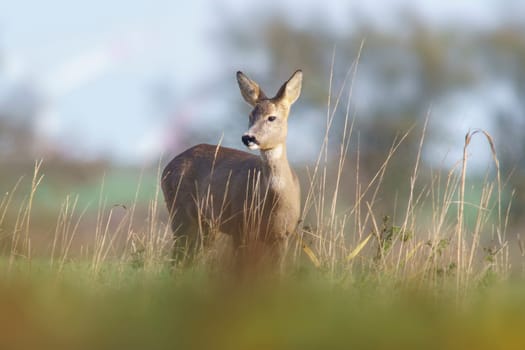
131,309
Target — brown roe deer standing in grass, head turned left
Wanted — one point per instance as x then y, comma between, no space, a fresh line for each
252,198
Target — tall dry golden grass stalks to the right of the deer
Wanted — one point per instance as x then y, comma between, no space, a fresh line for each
422,242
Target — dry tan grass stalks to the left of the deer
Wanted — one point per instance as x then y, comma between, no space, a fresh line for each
119,237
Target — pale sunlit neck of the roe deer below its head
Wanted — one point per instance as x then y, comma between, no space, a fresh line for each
276,168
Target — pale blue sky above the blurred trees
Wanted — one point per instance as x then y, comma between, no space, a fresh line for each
93,63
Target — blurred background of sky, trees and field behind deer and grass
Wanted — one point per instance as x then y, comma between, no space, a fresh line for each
113,90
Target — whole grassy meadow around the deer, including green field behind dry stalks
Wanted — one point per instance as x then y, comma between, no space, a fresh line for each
90,266
